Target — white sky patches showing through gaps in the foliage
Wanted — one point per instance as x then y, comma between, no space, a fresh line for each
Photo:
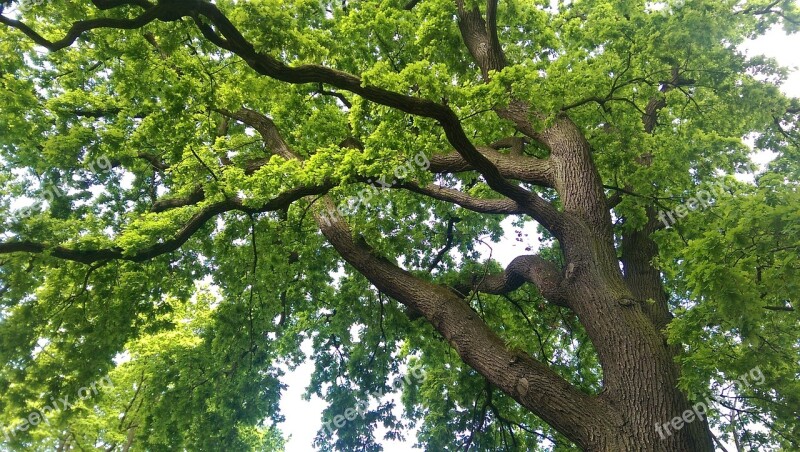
303,416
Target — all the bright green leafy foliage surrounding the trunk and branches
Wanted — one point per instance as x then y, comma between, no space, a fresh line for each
196,340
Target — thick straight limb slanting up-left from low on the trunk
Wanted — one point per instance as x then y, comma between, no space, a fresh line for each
528,381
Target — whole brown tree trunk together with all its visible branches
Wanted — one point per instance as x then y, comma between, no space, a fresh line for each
640,377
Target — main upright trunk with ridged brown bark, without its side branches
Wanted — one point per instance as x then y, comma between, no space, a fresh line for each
640,377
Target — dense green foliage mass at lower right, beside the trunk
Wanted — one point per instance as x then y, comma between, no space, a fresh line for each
737,270
